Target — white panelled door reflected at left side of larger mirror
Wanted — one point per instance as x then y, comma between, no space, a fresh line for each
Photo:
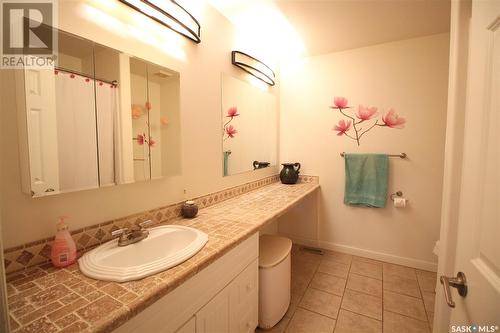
40,99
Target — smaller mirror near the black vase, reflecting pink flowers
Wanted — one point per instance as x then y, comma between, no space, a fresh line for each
249,127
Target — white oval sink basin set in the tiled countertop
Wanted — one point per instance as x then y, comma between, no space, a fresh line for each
165,247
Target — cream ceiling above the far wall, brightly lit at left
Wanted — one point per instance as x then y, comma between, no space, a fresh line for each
326,26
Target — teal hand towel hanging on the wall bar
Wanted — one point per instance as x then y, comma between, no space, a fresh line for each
366,177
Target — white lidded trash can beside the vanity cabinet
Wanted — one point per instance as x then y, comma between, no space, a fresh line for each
274,279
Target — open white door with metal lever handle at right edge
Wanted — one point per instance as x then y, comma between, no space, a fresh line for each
478,237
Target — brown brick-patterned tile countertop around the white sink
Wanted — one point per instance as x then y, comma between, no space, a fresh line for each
46,299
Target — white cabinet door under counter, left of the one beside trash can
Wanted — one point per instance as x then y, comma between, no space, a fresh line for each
215,316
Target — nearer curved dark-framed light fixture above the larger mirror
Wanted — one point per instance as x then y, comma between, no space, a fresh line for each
170,14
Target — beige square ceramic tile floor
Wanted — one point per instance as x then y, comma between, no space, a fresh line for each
341,293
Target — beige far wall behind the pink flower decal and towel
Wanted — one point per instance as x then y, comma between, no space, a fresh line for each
410,76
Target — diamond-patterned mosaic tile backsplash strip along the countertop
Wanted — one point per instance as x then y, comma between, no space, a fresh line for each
38,252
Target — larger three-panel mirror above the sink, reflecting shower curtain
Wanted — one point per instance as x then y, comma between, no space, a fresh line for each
99,118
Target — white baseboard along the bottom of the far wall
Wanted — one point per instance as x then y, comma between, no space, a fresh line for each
410,262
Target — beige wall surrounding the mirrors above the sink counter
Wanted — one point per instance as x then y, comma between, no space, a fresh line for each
200,66
